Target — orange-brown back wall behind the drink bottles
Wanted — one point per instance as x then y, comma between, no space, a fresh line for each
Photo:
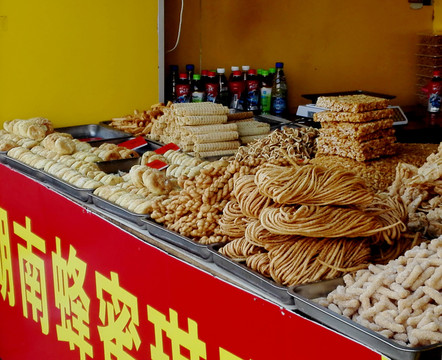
326,45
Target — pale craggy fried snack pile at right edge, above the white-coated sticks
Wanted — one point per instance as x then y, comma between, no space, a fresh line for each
421,191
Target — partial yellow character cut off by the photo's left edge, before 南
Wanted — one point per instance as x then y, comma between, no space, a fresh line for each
6,281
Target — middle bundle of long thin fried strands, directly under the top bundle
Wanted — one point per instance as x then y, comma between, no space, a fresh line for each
320,221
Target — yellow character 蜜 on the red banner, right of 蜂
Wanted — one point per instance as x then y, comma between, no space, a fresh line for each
119,315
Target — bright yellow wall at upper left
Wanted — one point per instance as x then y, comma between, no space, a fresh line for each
77,62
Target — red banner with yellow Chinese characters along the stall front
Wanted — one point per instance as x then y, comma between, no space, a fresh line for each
74,286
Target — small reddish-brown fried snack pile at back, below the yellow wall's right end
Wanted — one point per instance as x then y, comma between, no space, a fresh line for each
139,123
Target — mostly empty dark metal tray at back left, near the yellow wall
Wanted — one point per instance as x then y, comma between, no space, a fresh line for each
93,131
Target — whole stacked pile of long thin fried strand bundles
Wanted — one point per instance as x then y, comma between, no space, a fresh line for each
284,222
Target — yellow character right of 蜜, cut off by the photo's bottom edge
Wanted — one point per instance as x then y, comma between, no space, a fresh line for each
178,337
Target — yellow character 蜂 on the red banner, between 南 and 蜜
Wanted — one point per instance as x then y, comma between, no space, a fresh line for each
72,300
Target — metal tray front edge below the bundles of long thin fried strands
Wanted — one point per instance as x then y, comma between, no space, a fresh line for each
252,277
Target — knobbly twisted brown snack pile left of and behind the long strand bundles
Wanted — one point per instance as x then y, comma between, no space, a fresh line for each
196,211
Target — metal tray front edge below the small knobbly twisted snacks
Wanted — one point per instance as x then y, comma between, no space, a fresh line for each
174,238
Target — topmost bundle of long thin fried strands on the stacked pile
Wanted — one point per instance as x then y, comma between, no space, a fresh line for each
312,184
